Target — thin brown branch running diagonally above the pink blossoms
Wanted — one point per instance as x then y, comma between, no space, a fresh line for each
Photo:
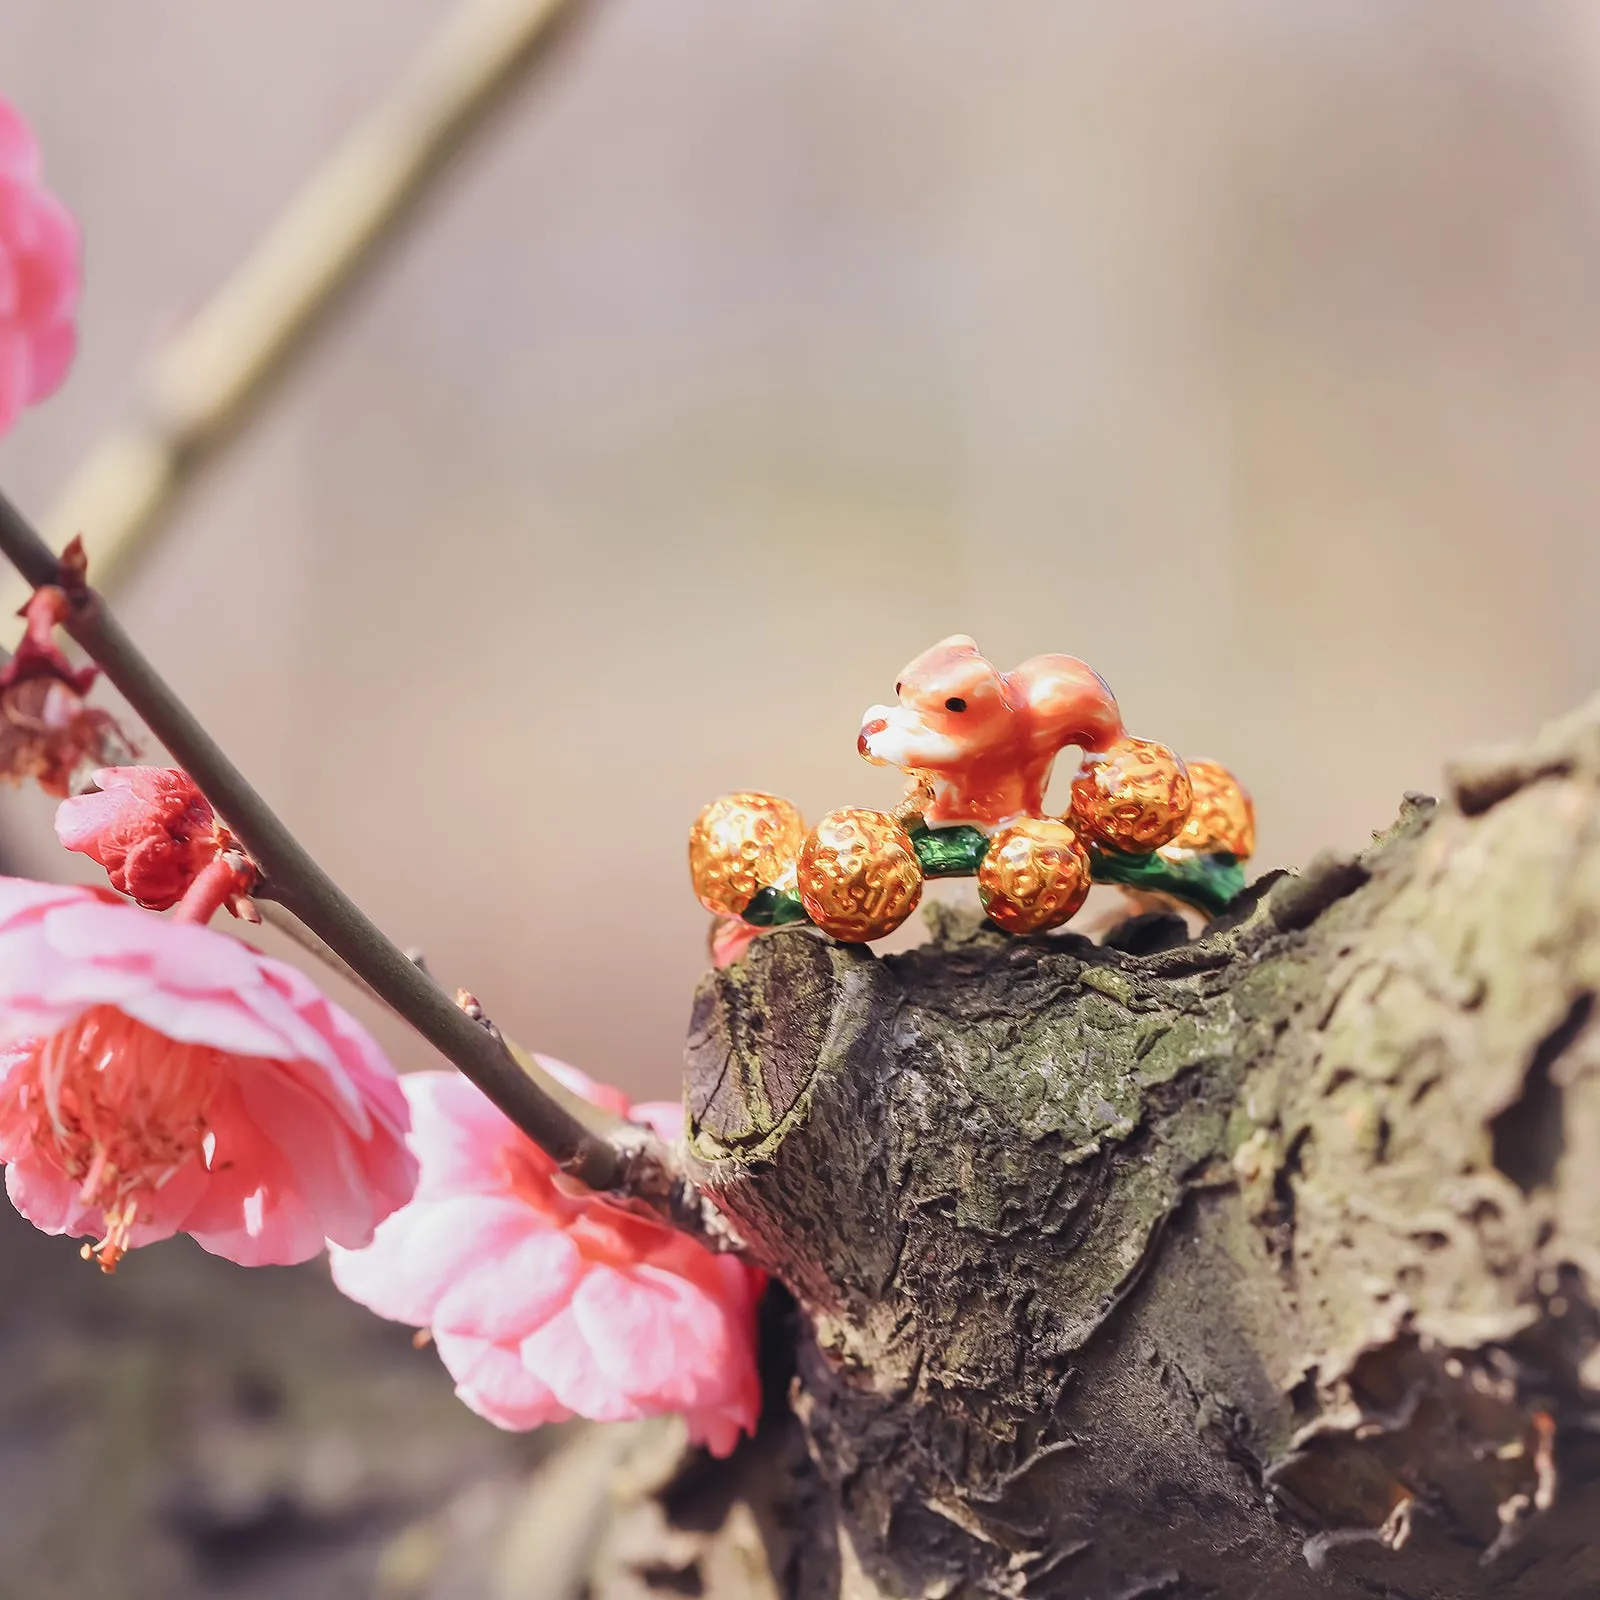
306,890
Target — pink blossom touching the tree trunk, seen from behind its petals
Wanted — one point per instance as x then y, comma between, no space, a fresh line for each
545,1300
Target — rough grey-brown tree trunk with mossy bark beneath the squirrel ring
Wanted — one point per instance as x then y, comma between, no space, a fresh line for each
1262,1265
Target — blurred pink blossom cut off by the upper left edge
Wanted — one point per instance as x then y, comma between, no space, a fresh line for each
39,276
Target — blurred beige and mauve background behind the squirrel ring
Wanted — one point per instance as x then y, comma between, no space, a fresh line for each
1252,353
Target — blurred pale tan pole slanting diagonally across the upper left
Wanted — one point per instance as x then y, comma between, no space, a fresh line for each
206,383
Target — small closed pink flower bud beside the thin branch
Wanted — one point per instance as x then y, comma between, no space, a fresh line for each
148,826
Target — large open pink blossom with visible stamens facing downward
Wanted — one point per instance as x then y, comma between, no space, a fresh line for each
158,1078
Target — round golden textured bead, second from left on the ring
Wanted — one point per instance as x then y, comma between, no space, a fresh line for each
858,874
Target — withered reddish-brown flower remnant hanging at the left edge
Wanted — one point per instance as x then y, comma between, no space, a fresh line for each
49,734
